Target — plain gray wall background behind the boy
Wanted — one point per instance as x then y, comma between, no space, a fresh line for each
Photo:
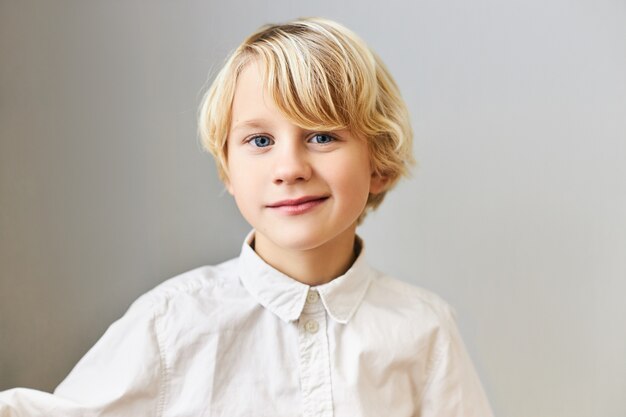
515,216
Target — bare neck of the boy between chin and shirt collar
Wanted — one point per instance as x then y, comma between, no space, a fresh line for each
313,266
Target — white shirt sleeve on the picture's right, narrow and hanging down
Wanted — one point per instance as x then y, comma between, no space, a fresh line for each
453,389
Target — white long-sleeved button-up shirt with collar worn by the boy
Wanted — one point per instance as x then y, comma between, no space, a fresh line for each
243,339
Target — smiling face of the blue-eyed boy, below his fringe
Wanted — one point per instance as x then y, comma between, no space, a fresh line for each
299,189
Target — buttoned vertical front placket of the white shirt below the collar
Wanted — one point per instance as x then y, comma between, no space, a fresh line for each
314,359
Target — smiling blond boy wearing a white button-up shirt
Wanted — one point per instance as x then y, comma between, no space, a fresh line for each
309,131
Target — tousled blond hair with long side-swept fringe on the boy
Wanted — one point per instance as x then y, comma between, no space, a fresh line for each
321,77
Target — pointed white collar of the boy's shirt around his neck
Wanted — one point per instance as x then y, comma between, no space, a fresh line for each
285,297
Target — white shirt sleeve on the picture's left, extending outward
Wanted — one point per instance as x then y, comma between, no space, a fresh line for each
122,375
